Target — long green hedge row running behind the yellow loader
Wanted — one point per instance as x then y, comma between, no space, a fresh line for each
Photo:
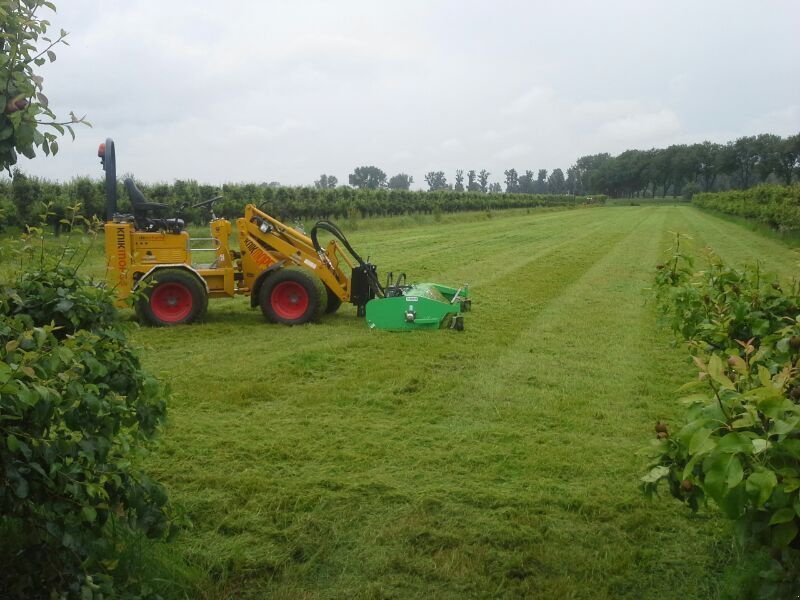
24,198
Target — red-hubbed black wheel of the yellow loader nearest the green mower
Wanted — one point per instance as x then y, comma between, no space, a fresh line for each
292,296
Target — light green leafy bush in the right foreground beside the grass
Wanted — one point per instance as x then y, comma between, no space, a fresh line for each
740,444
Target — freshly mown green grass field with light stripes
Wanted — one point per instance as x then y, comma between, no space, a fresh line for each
331,461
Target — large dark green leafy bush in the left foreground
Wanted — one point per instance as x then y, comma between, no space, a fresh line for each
76,412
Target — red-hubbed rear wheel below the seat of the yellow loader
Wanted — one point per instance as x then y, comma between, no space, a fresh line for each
172,297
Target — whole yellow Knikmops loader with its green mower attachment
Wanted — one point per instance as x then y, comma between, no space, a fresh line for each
288,274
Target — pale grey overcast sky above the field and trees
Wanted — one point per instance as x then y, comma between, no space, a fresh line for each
253,91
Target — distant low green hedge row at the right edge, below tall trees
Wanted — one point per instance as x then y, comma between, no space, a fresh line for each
776,206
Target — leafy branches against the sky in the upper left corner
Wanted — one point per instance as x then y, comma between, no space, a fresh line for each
24,109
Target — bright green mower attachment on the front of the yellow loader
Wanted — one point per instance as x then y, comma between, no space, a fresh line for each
419,306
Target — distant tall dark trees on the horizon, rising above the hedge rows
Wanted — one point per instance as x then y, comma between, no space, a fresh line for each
680,169
